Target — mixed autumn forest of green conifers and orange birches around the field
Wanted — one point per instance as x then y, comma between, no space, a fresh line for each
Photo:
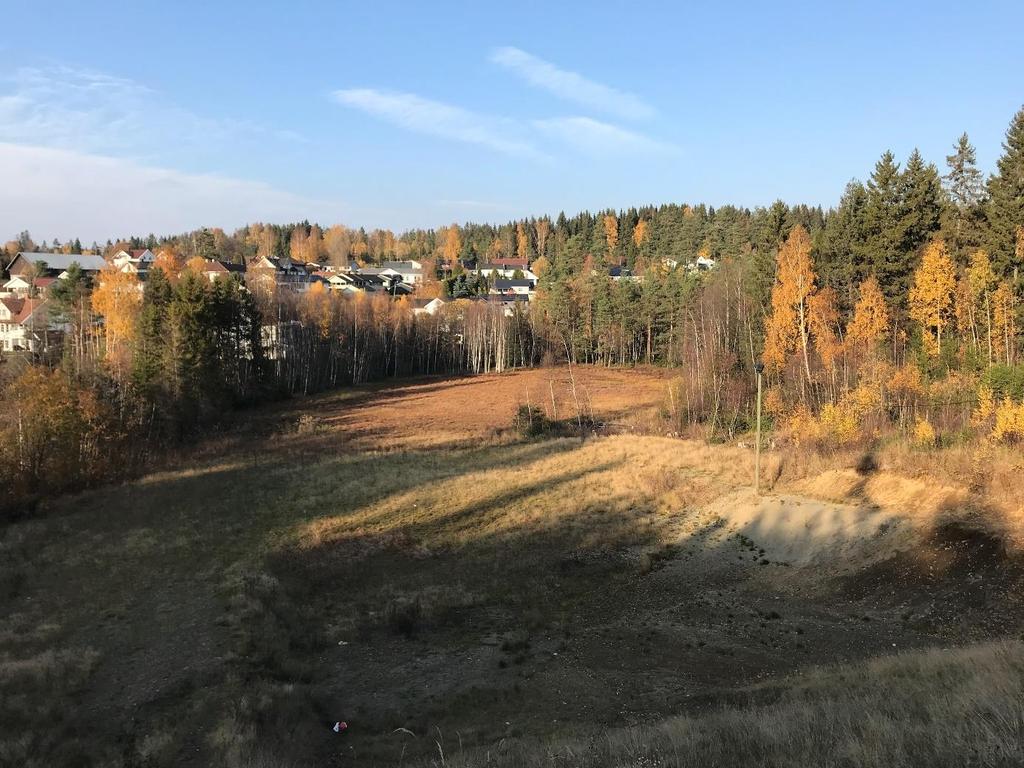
895,313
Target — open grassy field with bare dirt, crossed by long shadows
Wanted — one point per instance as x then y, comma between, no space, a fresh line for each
398,558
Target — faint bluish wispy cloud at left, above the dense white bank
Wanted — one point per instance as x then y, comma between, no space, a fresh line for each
88,111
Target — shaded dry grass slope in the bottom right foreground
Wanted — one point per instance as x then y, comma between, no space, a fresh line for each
927,709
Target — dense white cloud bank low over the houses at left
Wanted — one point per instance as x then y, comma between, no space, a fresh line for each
69,194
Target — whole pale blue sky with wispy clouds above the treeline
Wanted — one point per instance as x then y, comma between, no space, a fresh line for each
120,118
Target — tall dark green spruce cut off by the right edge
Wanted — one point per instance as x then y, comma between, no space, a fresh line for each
1005,211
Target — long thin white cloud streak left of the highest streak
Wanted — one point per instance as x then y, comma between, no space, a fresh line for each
439,119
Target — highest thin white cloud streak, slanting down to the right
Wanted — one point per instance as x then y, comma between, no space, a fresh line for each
571,86
